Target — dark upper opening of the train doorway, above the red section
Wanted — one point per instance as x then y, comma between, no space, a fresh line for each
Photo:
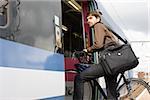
73,30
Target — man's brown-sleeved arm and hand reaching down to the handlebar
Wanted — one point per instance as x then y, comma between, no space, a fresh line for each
99,37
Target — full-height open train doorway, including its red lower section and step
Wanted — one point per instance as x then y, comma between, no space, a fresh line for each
72,30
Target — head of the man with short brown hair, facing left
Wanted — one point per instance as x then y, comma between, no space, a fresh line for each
93,17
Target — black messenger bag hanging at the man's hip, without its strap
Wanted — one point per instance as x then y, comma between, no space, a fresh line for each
117,59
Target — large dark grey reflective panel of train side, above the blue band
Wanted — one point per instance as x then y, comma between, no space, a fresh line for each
31,23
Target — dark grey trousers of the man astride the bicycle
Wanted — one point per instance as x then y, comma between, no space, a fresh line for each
92,72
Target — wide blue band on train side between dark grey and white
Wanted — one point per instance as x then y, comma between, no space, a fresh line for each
13,54
